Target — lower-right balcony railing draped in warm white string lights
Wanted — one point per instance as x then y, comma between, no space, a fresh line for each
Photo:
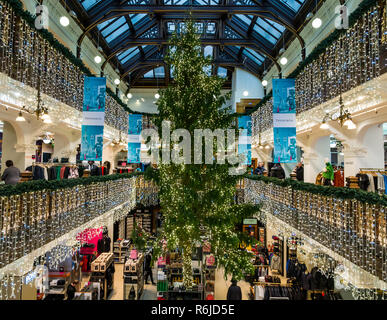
354,229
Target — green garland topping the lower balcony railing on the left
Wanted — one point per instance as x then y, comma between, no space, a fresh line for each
38,185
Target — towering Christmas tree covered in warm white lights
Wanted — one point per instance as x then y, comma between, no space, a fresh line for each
198,199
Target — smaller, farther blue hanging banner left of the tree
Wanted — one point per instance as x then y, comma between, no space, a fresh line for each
134,145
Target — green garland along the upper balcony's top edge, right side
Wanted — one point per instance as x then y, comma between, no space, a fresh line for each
321,48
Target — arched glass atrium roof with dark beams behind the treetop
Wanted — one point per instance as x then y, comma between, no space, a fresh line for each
249,37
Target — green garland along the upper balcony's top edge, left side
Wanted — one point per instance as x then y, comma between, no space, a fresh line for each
17,6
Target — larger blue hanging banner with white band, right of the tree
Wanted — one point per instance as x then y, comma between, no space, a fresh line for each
284,121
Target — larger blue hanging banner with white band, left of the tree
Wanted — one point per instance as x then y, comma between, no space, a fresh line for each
94,100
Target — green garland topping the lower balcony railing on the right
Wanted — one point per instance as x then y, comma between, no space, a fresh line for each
337,192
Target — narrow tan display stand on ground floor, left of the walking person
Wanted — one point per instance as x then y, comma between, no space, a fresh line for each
134,278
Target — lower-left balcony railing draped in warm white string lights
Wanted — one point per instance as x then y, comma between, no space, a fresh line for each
30,220
